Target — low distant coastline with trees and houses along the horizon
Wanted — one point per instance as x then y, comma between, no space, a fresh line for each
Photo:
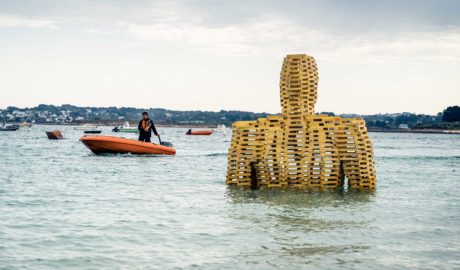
445,122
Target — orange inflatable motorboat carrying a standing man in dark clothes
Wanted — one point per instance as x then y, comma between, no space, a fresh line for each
109,144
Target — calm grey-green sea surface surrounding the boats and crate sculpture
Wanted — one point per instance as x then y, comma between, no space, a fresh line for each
61,207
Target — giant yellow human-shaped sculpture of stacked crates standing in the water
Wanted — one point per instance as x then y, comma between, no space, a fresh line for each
300,149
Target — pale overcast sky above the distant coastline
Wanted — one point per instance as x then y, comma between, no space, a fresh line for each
373,56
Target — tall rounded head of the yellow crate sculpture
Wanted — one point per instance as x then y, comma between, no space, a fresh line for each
298,85
